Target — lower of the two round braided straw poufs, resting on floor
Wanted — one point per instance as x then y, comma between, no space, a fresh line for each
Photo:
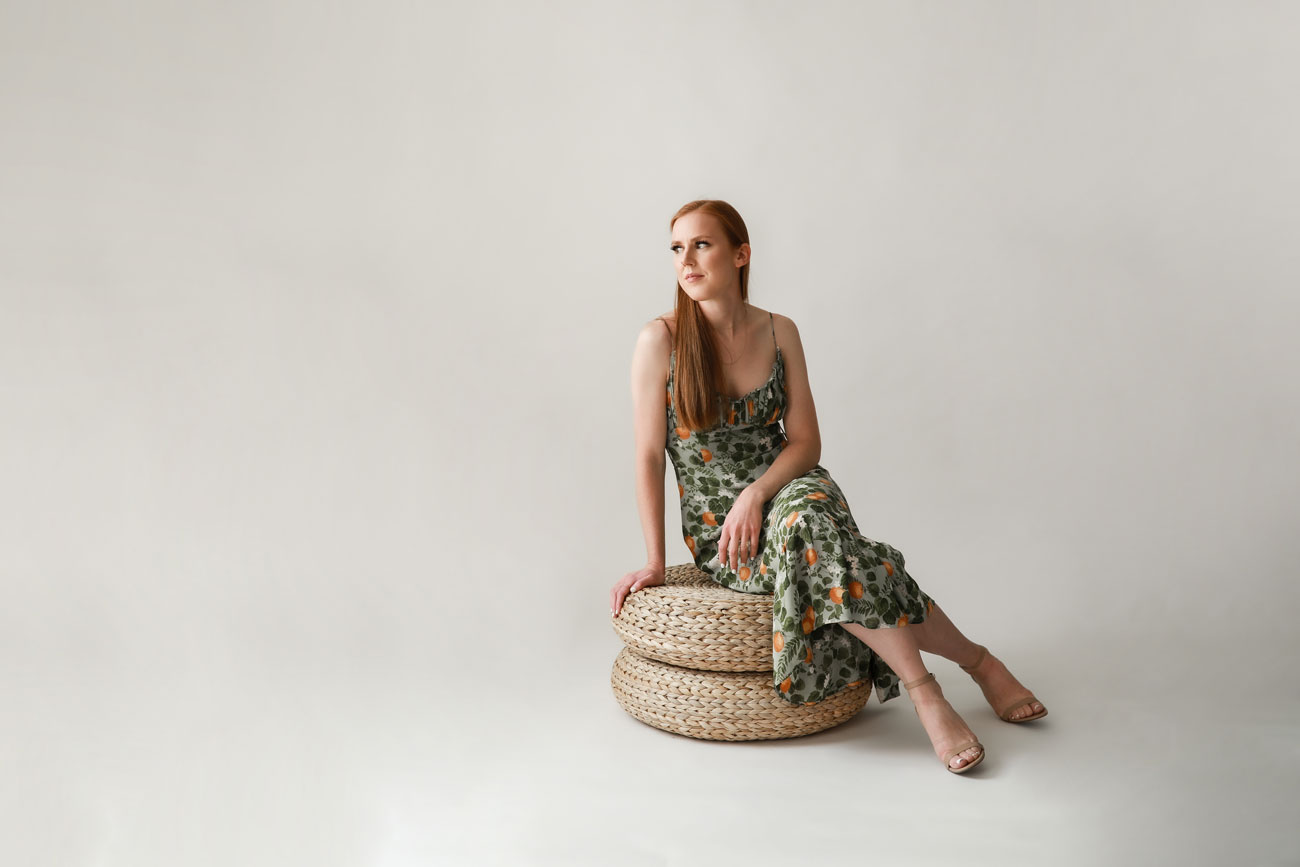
722,706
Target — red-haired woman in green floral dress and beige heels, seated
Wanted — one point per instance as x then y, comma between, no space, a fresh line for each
761,515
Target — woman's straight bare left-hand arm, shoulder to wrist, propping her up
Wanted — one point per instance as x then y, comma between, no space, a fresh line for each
649,391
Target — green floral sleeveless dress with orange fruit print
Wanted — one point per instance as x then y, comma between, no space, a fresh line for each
818,567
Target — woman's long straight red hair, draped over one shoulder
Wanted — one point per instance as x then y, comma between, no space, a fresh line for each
699,372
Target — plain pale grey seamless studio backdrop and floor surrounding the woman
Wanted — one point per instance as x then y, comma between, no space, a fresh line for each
317,440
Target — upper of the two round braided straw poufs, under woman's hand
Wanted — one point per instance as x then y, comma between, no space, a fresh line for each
696,623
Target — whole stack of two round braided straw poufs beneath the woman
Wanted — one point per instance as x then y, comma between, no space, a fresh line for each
697,661
